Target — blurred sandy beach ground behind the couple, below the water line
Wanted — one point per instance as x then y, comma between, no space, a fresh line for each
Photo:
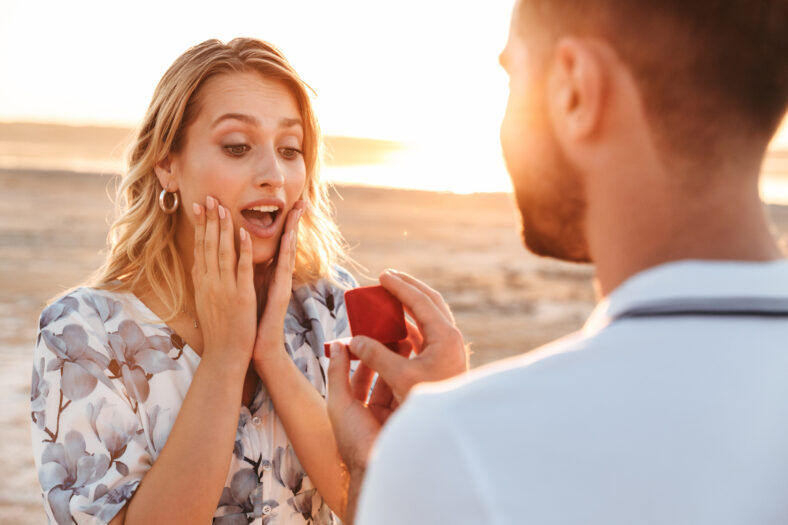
52,232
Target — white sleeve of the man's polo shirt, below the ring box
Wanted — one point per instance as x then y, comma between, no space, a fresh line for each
420,473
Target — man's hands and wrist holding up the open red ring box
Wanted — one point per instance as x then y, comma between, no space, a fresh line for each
356,415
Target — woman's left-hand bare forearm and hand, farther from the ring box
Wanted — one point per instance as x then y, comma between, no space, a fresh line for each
186,481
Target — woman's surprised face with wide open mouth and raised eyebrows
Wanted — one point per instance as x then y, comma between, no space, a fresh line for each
244,149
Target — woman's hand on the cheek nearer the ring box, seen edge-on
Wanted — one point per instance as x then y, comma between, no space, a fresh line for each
270,340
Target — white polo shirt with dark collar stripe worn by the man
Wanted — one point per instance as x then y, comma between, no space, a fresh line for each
670,406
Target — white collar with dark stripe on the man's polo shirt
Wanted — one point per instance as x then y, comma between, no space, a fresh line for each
694,285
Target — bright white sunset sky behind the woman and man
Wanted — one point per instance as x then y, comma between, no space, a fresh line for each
419,71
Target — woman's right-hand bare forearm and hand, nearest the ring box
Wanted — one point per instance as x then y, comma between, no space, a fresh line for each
297,403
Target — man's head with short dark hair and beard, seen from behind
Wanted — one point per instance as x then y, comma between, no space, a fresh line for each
710,79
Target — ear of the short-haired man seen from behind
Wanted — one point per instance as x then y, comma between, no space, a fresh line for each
576,88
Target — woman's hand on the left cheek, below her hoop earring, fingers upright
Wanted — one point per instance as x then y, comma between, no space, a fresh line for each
223,288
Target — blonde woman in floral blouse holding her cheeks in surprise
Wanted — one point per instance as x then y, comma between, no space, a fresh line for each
146,402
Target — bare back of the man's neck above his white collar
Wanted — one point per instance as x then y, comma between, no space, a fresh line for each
656,225
